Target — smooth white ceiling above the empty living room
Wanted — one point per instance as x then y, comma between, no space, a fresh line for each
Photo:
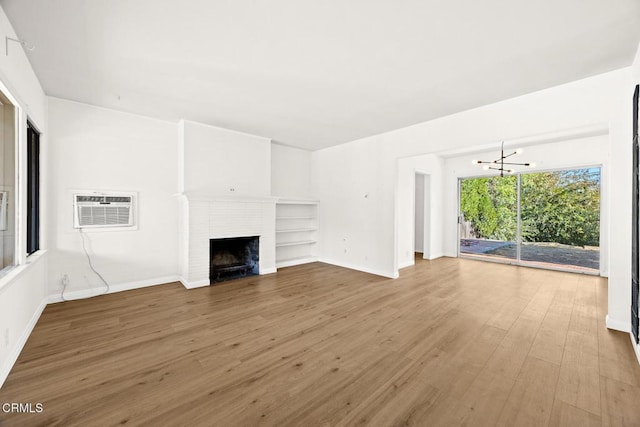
313,74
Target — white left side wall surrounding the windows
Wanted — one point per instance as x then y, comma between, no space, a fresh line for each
23,290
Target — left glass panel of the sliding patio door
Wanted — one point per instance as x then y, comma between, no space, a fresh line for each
489,217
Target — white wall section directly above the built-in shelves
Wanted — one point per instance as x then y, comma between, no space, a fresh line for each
290,172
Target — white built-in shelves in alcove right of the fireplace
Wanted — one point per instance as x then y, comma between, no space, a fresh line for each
296,234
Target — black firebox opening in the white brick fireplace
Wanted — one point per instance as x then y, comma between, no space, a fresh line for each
233,258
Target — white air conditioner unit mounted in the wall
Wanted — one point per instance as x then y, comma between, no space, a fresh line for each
102,210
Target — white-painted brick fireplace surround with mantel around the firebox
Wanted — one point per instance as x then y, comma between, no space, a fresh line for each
209,216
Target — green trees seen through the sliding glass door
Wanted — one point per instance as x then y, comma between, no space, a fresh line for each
560,207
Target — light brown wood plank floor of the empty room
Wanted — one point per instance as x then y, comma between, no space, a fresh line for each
452,342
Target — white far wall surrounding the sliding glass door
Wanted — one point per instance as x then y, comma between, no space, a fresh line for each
571,153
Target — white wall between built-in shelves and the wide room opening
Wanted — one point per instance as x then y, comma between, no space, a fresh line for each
355,185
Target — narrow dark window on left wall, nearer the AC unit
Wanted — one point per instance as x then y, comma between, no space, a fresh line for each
33,189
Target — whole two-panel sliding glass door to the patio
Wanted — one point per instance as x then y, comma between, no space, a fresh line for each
544,219
